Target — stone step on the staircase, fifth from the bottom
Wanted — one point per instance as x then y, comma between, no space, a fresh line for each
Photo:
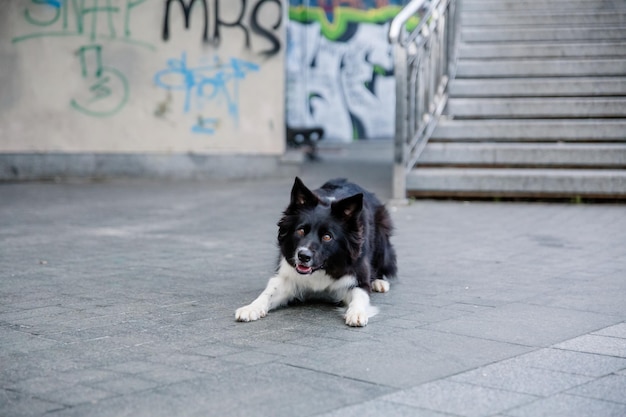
538,87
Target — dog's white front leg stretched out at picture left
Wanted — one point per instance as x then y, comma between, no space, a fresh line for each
279,291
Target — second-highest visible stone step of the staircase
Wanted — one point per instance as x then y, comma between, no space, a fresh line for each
551,18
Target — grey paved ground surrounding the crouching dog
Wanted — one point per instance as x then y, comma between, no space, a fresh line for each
118,299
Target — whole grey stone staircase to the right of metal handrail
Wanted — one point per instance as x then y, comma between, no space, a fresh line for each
537,108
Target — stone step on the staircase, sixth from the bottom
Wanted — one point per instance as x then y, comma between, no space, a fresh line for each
541,68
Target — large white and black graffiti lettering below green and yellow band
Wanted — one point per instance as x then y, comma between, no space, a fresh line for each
345,87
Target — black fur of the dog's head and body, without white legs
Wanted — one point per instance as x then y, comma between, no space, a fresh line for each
339,228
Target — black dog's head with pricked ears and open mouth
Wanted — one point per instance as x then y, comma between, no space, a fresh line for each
321,233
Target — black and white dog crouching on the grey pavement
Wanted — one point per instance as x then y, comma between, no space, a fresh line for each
335,241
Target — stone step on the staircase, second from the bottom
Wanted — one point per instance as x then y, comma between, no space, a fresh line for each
515,154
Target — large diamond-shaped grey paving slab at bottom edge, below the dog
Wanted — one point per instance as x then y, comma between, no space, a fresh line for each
268,389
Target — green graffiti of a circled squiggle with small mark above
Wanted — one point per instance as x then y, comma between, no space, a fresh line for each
107,86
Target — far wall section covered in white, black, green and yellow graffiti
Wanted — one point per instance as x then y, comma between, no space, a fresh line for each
340,67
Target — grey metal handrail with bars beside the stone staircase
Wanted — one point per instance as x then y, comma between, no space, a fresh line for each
423,60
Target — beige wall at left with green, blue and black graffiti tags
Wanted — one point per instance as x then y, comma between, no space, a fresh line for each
142,76
